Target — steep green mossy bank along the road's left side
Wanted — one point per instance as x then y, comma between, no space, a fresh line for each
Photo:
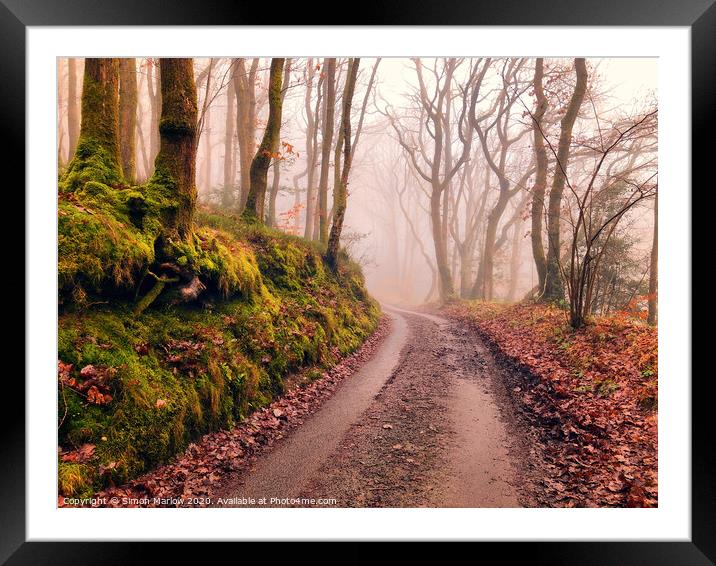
135,389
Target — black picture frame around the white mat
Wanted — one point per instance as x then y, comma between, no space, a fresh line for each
16,15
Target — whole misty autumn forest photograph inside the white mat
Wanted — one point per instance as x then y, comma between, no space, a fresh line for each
371,261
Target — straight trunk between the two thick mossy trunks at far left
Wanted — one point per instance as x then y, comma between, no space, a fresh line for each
128,117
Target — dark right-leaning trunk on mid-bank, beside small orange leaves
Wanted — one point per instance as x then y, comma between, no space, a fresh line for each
256,199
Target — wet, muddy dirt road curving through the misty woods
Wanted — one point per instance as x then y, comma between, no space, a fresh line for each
424,422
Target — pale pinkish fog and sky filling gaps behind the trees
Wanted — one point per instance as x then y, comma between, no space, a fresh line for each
444,163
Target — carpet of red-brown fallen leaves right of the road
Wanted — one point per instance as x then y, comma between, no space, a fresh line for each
594,399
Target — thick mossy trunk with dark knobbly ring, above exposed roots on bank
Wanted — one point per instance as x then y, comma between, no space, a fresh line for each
175,165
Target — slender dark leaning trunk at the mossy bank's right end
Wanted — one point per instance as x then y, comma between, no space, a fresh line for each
341,189
